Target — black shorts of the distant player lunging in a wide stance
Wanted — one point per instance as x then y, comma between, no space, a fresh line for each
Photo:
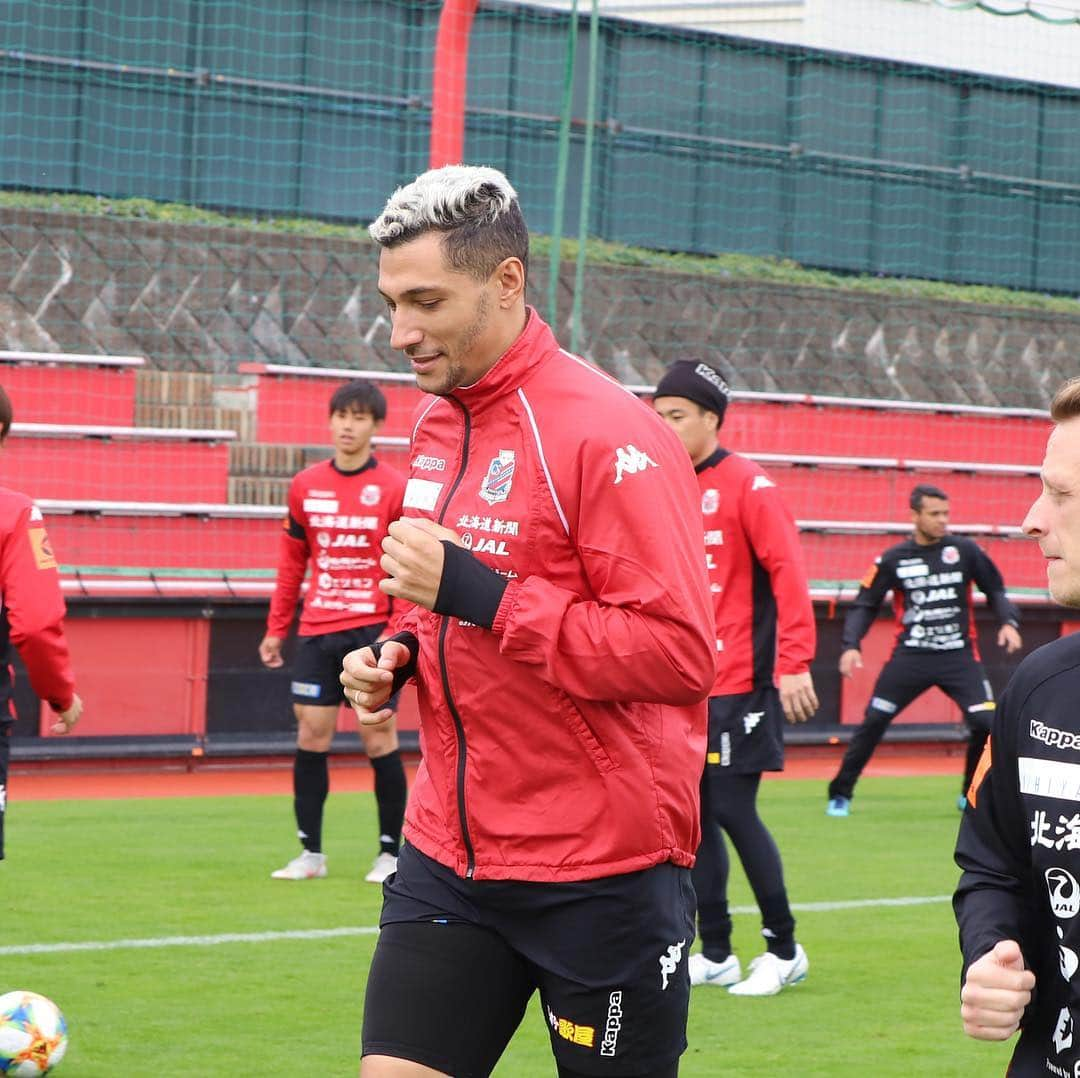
958,675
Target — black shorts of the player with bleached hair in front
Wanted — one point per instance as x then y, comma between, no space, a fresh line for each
458,961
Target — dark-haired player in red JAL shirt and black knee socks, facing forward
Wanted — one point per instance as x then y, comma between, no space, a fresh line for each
339,513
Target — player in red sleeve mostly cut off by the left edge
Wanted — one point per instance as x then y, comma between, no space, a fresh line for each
32,617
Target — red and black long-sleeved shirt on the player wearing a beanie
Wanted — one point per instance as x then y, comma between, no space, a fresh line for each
765,622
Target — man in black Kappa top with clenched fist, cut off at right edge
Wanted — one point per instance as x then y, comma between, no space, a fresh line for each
1018,902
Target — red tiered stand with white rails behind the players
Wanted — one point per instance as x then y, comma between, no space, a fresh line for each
142,507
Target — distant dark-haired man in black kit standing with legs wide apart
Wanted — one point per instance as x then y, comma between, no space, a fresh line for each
931,575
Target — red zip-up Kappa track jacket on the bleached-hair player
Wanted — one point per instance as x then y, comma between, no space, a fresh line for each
568,742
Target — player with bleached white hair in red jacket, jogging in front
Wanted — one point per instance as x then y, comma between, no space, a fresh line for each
560,635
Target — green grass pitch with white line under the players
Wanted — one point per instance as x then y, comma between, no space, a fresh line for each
882,999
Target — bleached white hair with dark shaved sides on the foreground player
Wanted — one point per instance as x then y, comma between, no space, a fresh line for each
475,208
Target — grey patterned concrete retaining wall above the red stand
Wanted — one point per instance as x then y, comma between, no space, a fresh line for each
205,300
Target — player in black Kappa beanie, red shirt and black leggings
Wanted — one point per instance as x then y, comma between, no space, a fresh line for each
765,642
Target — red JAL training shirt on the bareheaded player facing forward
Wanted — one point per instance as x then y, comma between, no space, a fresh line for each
336,521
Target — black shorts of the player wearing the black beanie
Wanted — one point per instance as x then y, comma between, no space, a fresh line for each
746,733
